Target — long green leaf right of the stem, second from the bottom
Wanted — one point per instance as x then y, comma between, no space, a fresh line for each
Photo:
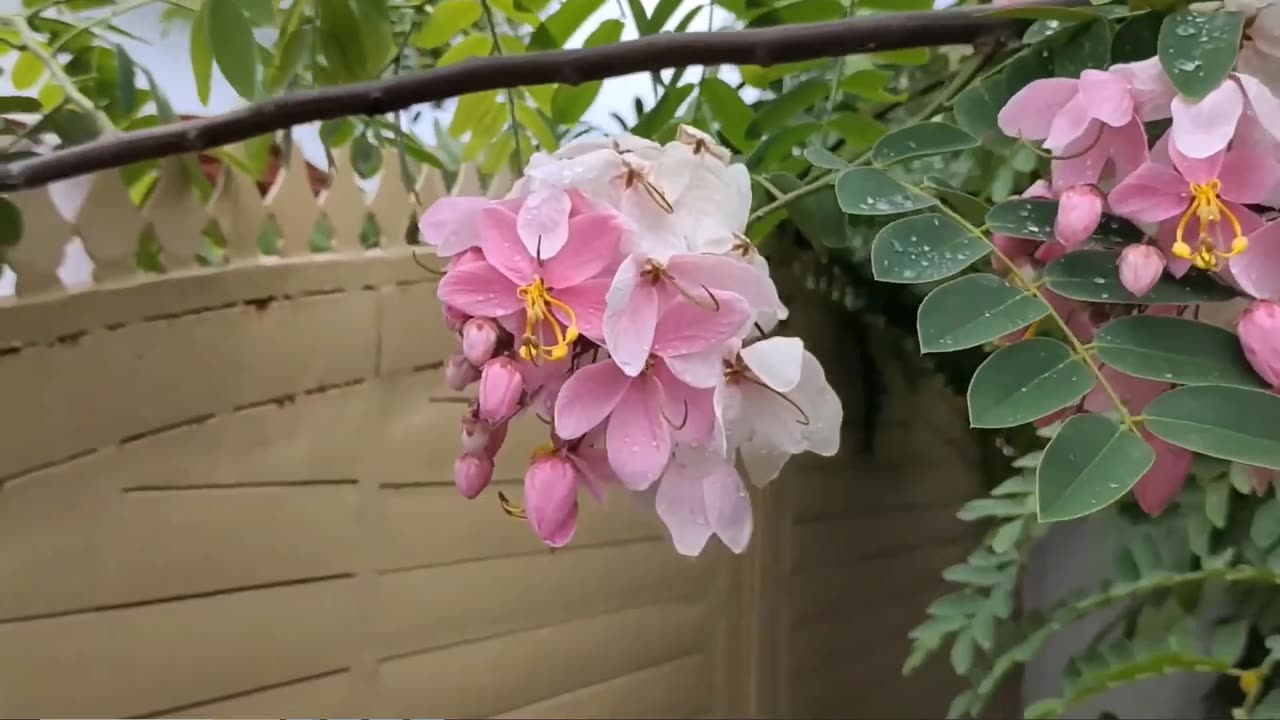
1176,350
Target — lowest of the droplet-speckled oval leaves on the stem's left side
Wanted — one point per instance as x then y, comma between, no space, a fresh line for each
925,249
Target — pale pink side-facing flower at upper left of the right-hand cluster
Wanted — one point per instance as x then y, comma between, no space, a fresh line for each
1086,122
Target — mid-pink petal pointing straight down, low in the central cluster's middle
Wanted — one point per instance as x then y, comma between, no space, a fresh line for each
638,438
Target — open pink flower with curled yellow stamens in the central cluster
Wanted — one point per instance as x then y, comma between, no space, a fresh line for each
552,300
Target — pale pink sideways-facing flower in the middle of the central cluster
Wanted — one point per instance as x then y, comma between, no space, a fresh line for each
716,294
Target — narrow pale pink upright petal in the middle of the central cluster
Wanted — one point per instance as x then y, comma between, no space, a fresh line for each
630,317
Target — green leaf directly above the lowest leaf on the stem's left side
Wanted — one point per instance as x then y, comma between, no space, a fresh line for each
1026,382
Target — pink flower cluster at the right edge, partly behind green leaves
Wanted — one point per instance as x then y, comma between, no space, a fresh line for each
1199,193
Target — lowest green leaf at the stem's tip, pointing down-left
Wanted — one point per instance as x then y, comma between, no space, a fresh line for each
1090,464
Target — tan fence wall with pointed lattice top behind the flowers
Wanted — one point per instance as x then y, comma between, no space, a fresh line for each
226,491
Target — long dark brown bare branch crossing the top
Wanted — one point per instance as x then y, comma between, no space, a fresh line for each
765,47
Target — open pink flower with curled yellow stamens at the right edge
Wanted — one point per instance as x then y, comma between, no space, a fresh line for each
1200,208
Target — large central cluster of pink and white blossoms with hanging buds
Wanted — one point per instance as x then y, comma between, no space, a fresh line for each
615,297
